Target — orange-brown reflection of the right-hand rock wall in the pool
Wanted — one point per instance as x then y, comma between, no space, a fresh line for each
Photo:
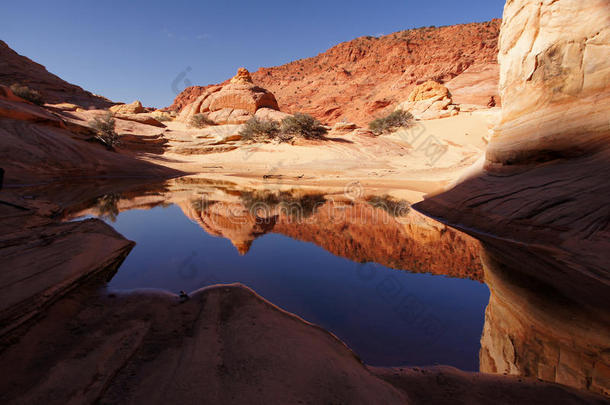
531,330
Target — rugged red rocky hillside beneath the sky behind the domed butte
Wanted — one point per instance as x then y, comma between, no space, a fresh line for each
365,78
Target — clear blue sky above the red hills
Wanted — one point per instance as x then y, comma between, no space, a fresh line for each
128,50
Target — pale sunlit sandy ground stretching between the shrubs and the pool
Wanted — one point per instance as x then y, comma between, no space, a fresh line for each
423,158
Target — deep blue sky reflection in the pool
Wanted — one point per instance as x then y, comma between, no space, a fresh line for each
387,317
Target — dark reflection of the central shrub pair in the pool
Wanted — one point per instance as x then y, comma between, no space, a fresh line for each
265,203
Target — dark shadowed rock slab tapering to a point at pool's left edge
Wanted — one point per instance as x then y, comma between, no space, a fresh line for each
43,260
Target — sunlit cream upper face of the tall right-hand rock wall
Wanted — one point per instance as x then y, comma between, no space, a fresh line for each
554,80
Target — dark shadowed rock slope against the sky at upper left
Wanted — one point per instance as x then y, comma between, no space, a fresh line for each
17,69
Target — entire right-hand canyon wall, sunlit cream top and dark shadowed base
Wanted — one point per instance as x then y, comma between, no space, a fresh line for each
546,178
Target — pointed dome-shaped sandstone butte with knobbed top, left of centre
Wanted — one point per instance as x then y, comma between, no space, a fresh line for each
233,103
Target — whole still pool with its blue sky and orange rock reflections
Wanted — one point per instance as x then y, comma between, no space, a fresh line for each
536,323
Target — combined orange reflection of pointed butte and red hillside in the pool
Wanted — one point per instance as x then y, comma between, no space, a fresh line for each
357,231
